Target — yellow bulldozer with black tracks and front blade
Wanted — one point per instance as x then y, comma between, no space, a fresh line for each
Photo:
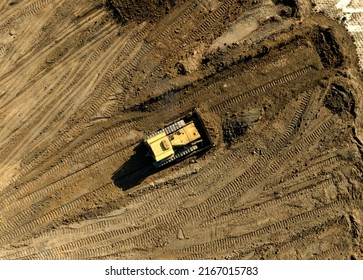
179,140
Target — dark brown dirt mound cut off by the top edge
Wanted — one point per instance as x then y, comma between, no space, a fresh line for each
143,10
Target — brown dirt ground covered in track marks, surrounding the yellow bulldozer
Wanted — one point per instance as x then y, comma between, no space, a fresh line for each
83,82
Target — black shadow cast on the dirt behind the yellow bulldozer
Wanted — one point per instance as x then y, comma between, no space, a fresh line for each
135,170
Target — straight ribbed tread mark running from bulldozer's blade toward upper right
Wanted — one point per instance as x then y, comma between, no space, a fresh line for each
280,81
